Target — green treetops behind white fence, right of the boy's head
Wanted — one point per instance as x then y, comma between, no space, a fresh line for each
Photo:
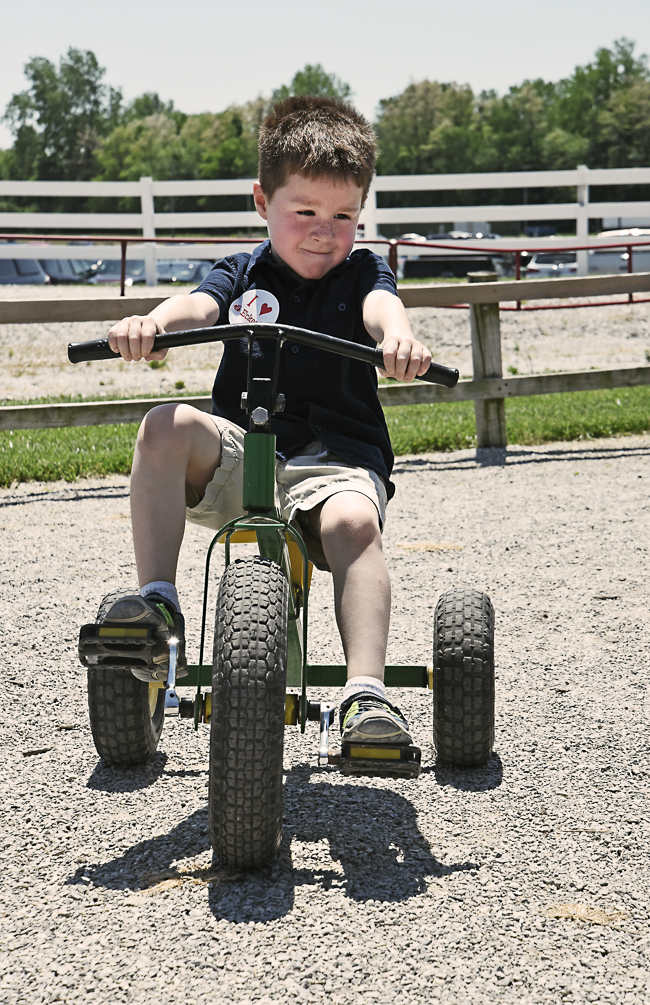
599,116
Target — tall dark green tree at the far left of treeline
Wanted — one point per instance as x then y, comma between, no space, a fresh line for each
59,121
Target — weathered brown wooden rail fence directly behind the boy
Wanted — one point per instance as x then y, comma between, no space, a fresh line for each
488,389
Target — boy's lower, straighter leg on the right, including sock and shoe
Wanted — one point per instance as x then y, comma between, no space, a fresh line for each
348,525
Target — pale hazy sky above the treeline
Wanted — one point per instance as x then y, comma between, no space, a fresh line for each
208,56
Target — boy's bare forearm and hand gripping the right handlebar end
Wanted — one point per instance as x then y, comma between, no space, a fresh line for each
386,320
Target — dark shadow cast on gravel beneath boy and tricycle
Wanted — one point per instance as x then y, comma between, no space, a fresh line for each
366,842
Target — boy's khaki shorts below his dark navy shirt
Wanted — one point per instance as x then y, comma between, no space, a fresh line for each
303,483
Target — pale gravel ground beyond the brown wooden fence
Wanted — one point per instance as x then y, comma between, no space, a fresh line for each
34,360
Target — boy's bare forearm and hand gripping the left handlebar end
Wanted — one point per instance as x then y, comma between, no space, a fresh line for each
134,337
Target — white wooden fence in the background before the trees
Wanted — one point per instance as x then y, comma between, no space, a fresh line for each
148,222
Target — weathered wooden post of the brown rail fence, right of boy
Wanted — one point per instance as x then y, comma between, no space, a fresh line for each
487,361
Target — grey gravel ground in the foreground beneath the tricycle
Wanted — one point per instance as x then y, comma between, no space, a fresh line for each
525,882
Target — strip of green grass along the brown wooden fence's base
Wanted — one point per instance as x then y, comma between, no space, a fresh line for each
53,455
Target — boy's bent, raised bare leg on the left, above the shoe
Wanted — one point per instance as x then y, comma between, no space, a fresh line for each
176,445
